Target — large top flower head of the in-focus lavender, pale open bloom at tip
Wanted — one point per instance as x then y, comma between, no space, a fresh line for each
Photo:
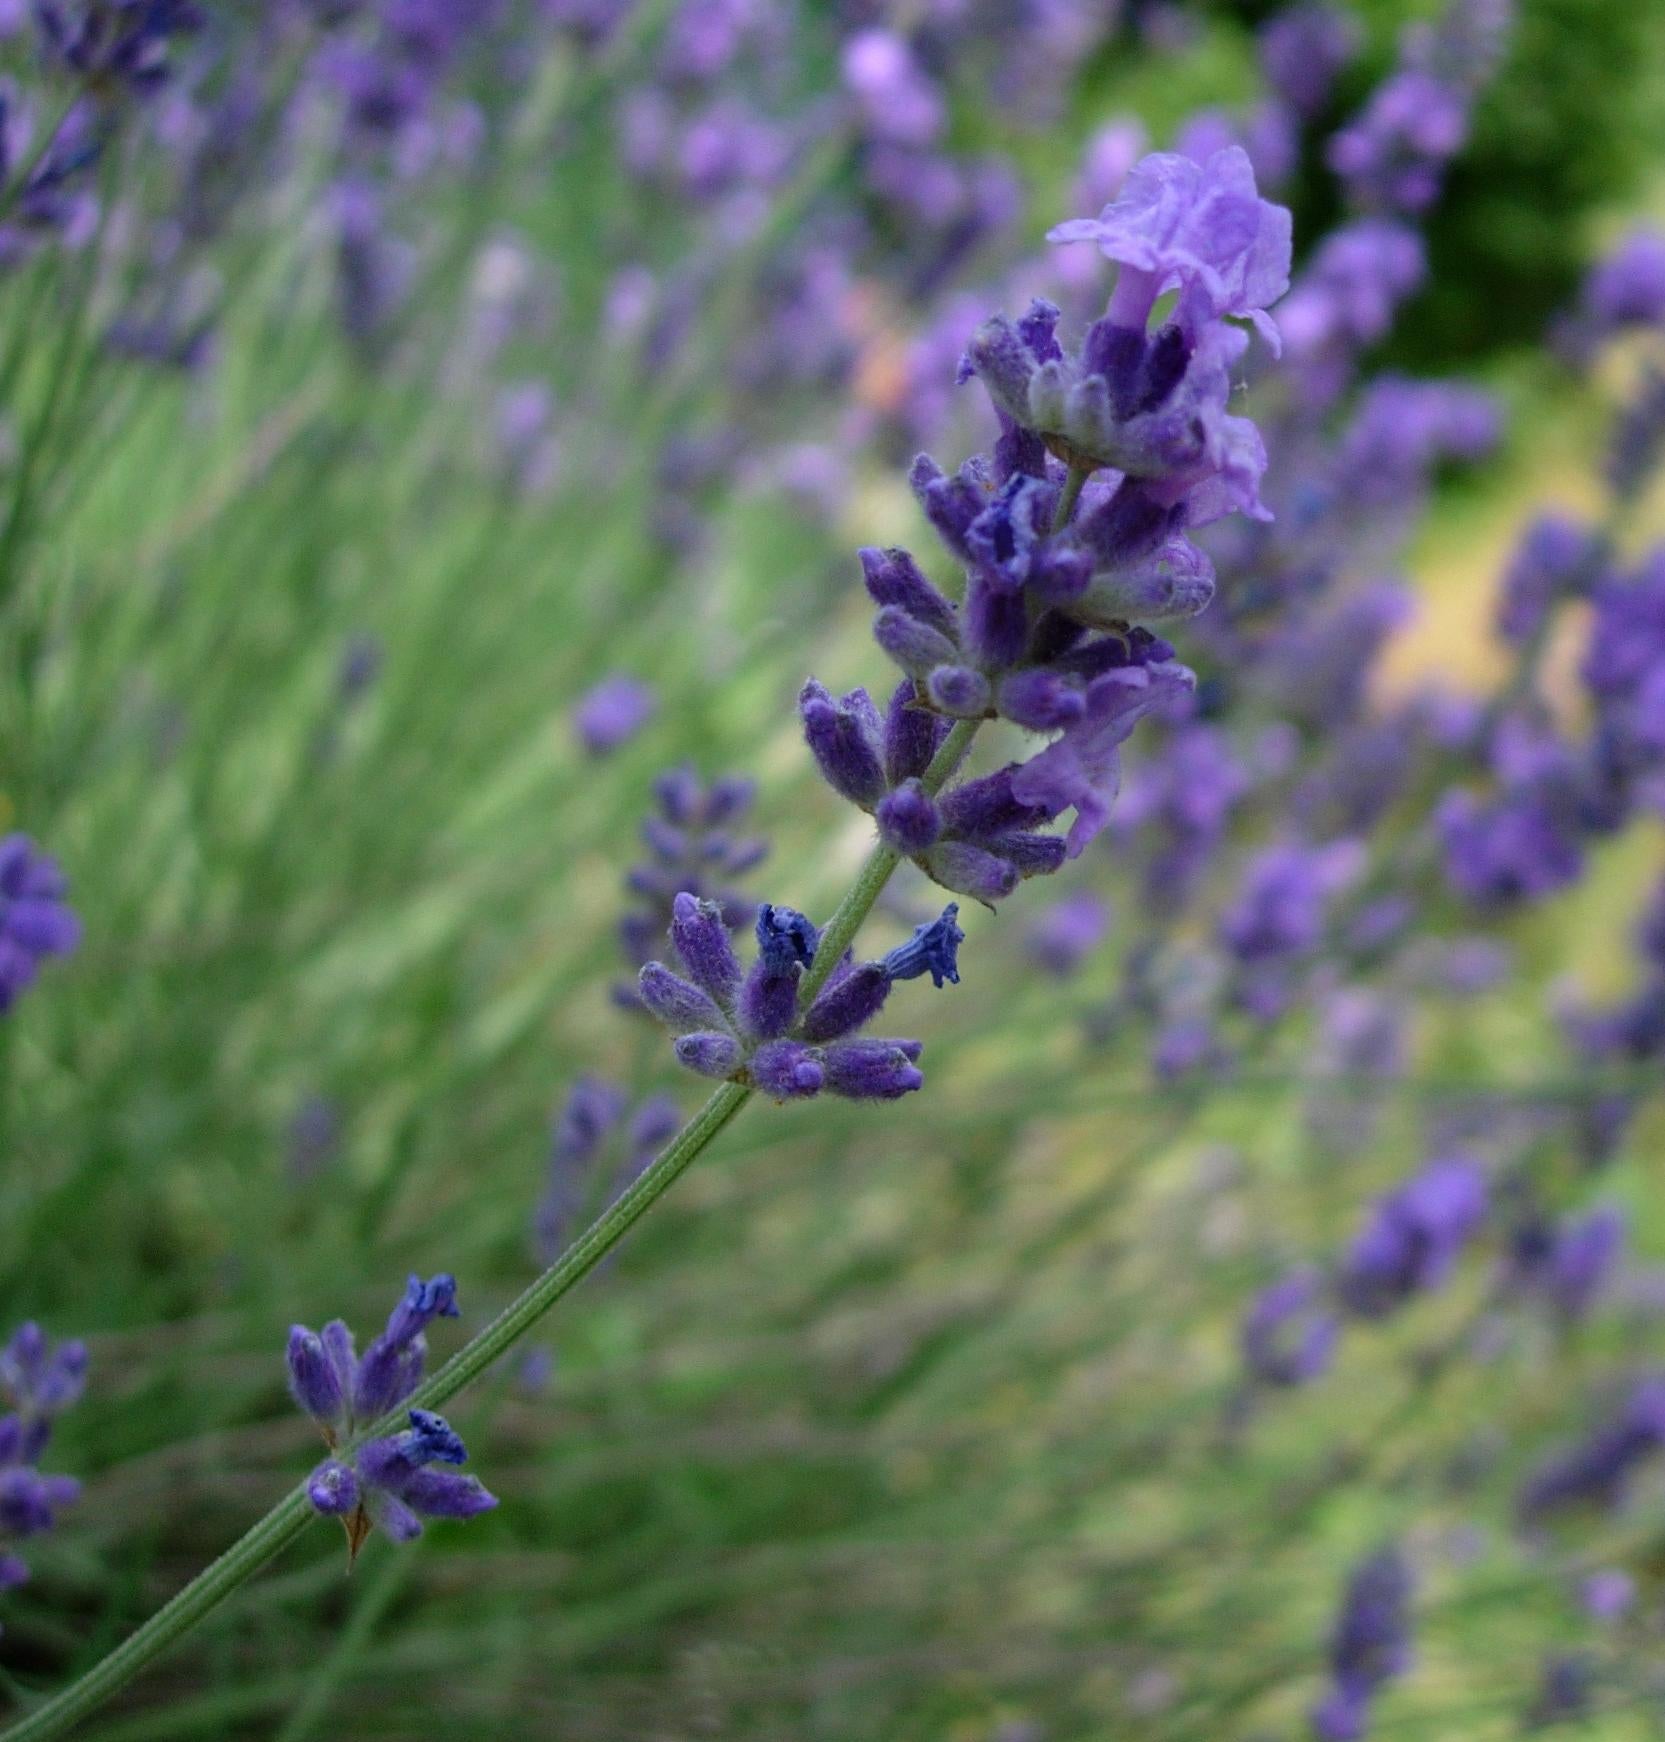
1068,534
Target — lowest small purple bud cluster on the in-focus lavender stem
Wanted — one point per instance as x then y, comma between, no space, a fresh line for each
391,1480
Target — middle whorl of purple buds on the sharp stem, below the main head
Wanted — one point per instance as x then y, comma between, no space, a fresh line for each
746,1027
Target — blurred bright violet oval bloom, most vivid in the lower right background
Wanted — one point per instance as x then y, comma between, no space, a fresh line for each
1413,1238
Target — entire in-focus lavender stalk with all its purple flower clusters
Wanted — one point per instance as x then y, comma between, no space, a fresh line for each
1056,558
